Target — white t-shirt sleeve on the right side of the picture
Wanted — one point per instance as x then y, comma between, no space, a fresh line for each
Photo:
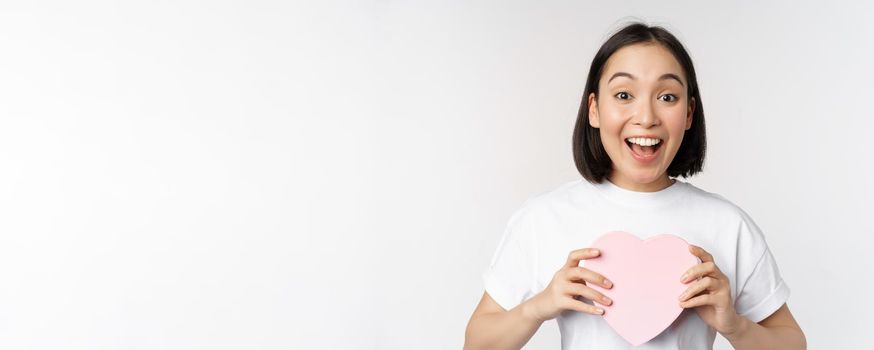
761,289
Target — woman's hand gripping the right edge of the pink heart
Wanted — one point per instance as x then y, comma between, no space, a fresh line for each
710,294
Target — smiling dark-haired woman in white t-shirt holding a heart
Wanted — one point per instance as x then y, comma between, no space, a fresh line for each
640,125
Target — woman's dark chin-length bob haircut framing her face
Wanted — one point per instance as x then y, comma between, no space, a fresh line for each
591,159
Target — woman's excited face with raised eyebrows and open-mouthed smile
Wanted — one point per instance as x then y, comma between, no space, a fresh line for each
642,94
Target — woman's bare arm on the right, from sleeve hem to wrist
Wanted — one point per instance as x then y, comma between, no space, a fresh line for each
778,331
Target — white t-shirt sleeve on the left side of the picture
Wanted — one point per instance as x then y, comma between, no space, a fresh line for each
509,278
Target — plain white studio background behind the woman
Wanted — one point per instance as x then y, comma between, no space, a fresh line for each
333,175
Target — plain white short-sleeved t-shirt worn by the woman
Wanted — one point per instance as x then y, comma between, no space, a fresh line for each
548,226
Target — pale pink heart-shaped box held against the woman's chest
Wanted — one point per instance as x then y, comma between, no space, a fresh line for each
646,281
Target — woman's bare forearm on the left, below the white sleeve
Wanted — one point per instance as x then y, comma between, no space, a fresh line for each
501,330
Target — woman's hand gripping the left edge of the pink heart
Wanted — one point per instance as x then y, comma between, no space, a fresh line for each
567,283
